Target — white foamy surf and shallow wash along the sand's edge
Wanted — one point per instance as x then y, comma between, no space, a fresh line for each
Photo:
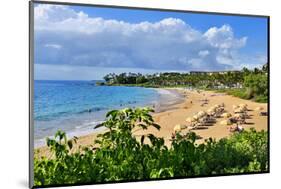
162,100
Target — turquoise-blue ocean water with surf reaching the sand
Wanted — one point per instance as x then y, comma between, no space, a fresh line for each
77,106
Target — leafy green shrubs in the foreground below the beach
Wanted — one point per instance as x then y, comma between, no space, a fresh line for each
121,156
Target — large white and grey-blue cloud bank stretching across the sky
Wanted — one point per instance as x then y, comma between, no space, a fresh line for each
169,44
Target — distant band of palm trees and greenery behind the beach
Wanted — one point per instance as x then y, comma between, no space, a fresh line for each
246,84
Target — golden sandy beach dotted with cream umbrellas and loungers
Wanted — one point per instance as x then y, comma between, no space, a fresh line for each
178,113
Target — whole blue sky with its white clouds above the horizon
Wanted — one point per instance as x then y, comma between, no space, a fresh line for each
77,42
